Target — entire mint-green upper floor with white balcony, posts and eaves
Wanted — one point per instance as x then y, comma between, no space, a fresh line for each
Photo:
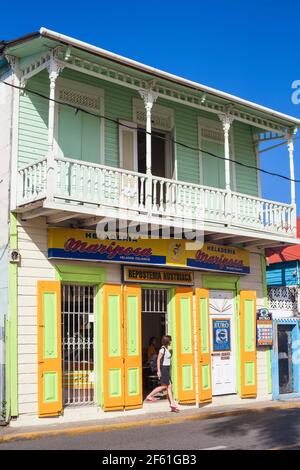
98,139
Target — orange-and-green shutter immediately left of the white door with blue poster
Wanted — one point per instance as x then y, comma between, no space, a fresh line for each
203,338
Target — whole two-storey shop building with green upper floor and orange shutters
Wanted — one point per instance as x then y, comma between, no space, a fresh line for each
81,310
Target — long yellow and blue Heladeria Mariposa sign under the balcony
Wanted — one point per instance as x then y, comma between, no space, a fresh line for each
84,245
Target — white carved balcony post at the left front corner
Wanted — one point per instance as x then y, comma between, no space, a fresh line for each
53,70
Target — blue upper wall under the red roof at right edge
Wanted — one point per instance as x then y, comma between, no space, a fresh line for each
282,274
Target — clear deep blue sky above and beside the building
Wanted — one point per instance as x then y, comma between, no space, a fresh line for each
250,49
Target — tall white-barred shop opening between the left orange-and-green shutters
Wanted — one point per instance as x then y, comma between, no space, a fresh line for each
78,344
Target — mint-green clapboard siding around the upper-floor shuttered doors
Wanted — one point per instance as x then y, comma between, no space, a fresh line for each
118,105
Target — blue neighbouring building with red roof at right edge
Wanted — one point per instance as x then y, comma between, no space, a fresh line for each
283,281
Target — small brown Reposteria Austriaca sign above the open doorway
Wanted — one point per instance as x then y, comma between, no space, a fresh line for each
157,276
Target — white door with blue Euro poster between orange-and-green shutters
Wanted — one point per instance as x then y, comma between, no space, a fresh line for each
222,342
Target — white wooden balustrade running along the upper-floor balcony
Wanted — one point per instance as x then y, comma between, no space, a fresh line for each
102,191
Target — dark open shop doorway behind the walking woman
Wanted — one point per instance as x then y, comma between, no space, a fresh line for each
154,327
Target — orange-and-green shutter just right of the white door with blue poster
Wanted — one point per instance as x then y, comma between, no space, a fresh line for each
248,344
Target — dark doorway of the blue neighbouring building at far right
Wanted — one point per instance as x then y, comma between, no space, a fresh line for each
285,364
